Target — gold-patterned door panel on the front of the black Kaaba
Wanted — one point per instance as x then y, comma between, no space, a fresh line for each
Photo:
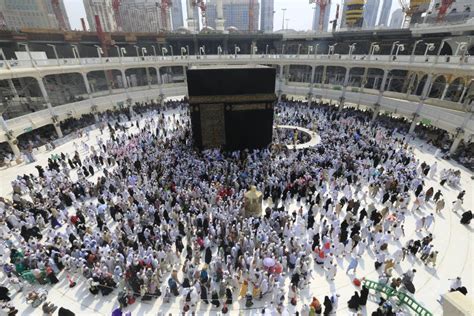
212,125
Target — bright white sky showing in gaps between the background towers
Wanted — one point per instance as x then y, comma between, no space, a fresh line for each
299,12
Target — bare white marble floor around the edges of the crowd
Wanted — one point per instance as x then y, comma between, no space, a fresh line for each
453,240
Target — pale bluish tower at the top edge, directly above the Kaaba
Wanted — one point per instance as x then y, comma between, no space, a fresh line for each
236,13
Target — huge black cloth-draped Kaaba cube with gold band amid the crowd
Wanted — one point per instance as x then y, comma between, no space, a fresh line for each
231,108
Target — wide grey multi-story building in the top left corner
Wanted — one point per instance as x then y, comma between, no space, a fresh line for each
18,14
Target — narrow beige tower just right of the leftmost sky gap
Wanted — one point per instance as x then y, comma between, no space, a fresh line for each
105,11
